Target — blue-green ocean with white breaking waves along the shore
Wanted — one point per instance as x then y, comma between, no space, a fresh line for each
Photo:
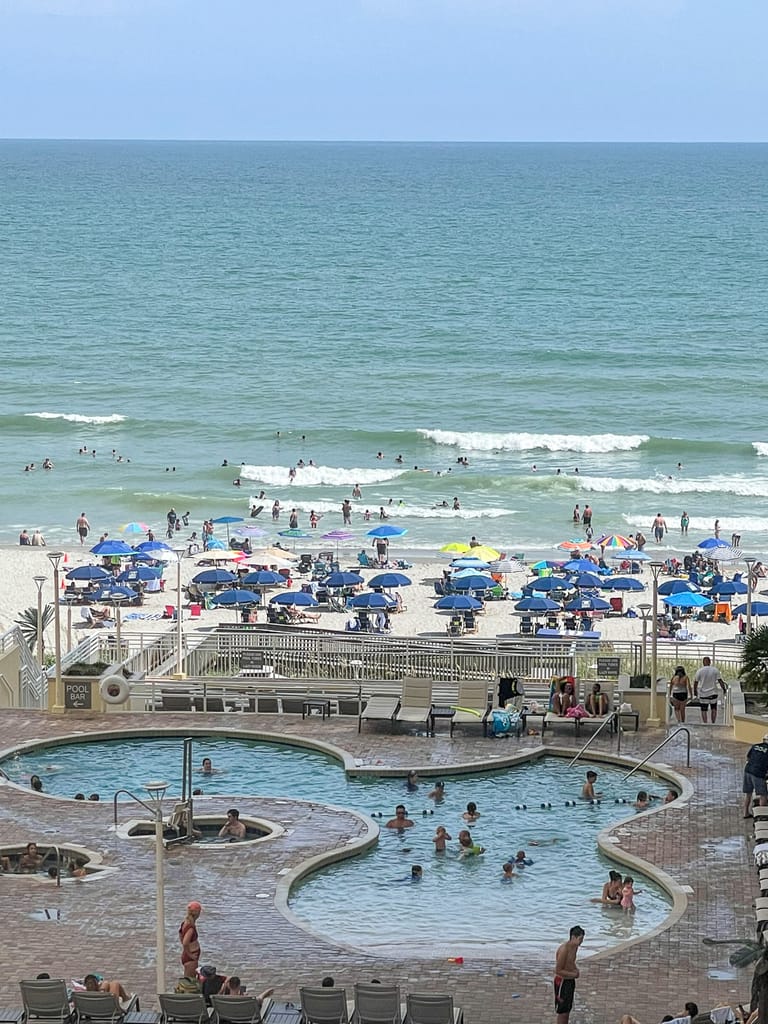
593,310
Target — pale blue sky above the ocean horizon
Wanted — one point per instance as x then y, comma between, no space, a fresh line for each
381,70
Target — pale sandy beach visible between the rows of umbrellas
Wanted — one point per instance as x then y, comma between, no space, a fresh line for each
18,591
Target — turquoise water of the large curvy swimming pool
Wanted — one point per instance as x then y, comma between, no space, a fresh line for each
462,903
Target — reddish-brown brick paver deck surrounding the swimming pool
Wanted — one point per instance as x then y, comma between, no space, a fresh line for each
108,924
